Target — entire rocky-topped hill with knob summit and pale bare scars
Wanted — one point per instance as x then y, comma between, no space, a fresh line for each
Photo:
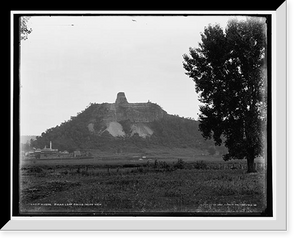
126,127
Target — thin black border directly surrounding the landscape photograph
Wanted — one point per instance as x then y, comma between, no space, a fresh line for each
16,127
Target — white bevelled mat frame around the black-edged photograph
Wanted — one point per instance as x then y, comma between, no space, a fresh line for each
180,223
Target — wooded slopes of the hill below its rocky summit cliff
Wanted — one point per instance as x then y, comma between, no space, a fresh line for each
167,131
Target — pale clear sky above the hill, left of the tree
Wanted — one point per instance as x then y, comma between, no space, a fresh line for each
68,62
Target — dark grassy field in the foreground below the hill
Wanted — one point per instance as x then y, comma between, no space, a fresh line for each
100,186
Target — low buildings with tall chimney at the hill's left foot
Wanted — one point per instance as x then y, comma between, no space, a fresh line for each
51,153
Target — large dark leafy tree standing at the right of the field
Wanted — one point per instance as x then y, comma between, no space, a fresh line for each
229,71
